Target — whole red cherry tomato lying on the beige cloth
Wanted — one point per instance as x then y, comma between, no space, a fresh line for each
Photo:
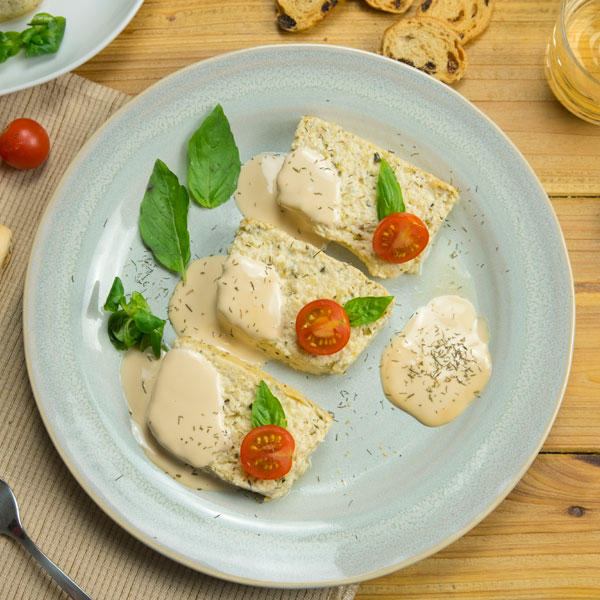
24,144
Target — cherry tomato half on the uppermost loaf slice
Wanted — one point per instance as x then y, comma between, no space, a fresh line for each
400,237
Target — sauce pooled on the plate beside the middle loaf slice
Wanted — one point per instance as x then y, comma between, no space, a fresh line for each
193,310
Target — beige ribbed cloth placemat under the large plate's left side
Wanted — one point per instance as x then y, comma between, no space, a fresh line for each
103,559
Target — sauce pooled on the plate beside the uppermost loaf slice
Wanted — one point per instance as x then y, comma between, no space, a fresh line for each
256,197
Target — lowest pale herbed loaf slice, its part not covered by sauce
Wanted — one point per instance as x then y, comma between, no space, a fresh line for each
307,422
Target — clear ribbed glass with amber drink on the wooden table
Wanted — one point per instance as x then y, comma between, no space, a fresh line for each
573,58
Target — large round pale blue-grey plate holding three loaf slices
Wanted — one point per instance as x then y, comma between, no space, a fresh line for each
383,490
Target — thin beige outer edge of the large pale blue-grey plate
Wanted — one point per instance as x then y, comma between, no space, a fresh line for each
202,568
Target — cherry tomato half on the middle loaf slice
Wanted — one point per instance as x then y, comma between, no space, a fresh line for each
322,327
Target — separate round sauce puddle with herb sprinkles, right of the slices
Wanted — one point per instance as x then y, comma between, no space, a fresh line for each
439,363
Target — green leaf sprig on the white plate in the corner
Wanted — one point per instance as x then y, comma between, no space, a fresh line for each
43,36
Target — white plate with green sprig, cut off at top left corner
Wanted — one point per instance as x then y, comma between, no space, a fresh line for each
91,26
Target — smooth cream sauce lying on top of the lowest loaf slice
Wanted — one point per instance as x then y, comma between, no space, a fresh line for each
185,413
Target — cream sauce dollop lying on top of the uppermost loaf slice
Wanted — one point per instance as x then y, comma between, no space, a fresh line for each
309,184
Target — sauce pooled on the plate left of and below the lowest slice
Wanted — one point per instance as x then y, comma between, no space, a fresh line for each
138,375
